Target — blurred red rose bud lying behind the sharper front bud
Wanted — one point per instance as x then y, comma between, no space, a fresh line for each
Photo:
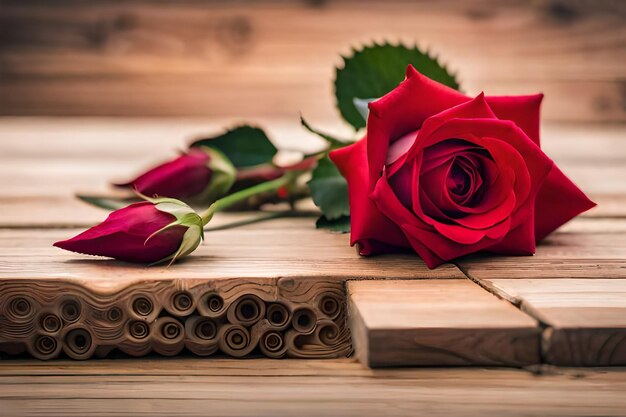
202,174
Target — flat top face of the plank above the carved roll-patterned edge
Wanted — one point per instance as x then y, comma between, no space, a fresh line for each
282,248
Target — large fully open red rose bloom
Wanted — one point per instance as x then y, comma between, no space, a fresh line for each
447,175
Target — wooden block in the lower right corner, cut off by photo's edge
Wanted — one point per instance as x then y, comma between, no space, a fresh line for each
586,318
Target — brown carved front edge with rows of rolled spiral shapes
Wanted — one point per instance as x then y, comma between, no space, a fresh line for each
164,316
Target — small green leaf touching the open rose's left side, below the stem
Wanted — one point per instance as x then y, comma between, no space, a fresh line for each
329,190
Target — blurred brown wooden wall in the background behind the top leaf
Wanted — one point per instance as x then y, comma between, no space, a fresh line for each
259,58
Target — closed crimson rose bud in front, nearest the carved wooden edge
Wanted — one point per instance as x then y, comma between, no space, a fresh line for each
151,231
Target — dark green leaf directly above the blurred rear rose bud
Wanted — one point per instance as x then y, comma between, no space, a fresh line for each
245,146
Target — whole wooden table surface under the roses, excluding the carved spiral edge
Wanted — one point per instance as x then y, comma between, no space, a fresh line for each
565,306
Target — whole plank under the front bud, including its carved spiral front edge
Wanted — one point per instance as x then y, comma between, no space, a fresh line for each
231,289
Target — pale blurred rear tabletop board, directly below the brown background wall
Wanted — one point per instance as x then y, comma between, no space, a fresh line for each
44,161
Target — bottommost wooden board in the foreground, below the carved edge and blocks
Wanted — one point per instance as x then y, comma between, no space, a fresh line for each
307,388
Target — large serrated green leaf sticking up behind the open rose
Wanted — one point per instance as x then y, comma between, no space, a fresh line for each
375,70
